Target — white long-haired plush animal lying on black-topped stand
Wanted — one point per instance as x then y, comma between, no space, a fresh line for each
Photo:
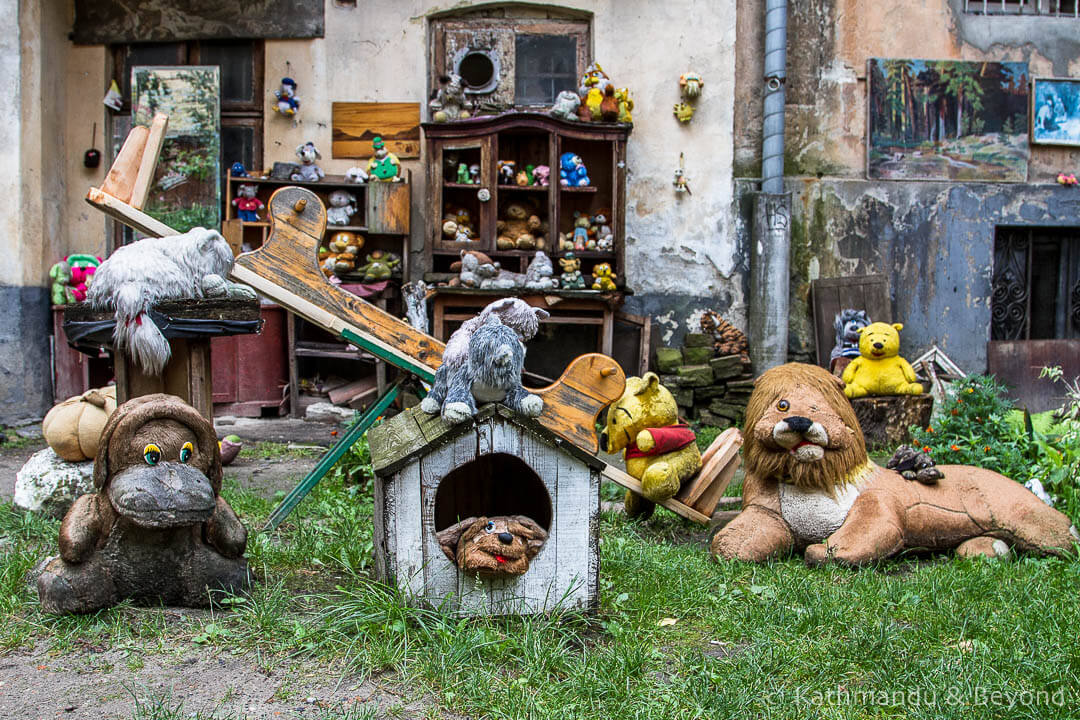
138,277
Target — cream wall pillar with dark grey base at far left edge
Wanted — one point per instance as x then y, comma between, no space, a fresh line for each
32,199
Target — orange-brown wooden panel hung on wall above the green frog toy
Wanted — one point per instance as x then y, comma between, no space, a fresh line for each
357,125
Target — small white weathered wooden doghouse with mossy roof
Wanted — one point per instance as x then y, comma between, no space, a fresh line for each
430,476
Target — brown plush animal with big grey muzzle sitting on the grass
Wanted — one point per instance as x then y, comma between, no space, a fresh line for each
157,532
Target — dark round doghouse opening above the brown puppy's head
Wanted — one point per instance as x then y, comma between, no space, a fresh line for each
496,484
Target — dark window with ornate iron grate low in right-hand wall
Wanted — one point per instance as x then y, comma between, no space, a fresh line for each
1036,284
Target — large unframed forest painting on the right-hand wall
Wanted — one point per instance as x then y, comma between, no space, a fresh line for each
948,120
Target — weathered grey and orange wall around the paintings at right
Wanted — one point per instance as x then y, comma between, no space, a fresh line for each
935,241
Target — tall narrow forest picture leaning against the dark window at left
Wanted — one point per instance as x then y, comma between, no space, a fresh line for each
187,184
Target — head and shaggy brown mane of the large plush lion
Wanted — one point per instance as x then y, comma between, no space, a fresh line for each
802,429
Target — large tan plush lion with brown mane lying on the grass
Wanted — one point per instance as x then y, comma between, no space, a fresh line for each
811,487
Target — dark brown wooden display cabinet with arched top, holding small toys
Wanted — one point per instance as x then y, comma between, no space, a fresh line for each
526,139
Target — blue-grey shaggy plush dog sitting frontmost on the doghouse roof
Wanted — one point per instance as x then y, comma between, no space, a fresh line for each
493,374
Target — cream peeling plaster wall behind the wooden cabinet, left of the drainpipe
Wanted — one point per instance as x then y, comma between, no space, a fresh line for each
682,253
